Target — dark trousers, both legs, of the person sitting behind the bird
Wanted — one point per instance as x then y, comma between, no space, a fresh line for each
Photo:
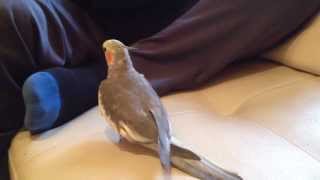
177,49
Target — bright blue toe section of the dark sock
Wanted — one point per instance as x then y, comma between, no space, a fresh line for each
42,100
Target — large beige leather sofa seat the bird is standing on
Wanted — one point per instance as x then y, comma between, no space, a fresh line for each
260,120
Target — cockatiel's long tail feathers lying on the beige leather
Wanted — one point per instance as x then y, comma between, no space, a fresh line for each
197,166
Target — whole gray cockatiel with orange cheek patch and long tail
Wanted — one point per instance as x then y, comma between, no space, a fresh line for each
134,110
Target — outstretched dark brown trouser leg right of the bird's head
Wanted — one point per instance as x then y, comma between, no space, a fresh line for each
213,34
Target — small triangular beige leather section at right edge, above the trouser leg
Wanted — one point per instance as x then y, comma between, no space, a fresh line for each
302,51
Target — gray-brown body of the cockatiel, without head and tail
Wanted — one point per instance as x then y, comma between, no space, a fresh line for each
131,103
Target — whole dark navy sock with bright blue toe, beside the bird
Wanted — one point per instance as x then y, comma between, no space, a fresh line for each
57,95
